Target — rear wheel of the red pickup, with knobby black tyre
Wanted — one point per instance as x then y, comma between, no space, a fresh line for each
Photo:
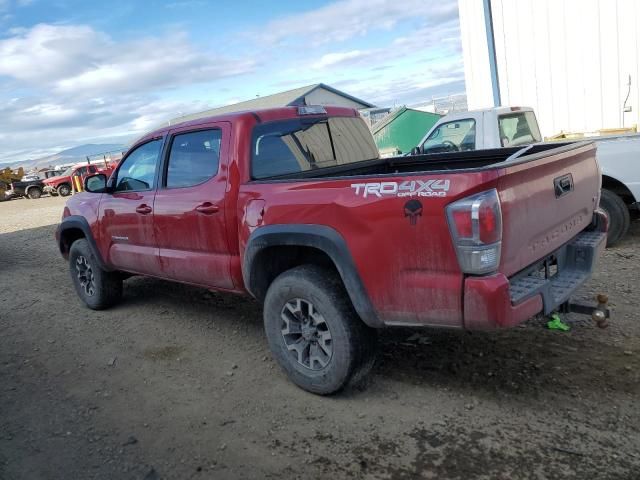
314,332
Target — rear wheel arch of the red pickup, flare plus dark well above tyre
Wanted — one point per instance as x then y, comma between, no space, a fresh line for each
274,249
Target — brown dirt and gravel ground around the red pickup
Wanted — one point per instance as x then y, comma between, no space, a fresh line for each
177,382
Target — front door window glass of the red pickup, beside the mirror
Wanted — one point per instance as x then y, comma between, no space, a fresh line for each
138,170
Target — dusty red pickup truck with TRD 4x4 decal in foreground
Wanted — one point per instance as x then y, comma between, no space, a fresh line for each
295,207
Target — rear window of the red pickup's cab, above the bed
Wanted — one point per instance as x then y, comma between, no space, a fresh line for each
300,145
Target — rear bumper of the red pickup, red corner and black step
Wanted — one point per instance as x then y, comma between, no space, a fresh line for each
496,301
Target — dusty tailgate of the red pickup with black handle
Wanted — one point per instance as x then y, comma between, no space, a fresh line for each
547,199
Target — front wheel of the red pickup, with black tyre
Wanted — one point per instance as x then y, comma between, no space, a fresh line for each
97,288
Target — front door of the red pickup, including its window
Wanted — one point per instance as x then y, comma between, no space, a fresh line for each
126,215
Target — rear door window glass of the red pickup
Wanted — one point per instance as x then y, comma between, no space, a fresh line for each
194,158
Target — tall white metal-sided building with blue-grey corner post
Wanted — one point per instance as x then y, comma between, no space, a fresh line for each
571,60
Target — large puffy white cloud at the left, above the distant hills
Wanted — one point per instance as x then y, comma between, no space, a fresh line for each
78,59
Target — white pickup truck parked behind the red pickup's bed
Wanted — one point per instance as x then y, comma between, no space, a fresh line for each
618,156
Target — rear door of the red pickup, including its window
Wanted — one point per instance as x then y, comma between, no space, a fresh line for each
189,214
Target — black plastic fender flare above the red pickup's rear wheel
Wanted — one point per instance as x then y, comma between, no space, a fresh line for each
320,237
